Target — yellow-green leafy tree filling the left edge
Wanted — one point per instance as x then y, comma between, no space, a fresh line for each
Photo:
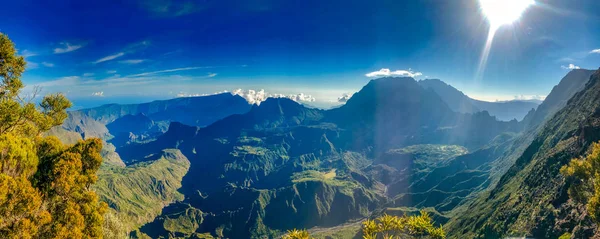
44,185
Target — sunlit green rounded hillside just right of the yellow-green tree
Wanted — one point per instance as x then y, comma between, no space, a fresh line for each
138,193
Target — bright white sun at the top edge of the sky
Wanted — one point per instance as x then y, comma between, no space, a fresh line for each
503,12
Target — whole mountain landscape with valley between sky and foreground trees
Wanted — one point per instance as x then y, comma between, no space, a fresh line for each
221,167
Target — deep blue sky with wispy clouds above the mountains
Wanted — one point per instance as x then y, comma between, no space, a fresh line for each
132,51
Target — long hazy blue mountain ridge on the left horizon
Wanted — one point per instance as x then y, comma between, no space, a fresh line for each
123,124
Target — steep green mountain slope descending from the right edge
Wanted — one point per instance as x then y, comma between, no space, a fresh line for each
531,198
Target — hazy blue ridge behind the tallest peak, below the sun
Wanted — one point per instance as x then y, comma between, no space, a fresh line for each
459,102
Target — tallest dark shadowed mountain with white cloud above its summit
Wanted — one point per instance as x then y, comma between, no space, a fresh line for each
395,112
